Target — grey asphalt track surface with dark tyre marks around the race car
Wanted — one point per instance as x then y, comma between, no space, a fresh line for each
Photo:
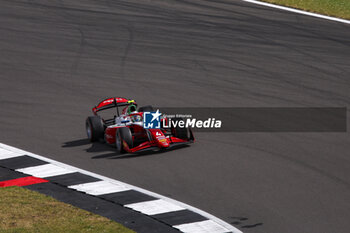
59,58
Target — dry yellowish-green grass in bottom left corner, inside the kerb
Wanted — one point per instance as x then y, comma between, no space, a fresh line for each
26,211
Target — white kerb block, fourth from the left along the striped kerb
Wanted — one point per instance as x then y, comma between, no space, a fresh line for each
155,207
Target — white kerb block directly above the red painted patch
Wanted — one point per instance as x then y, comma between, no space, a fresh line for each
45,170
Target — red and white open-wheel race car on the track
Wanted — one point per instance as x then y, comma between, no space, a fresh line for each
126,129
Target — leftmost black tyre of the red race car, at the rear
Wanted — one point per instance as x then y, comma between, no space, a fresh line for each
94,128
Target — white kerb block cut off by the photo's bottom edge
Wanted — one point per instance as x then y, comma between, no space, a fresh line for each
206,226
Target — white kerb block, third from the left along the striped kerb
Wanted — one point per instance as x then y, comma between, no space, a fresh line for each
99,188
